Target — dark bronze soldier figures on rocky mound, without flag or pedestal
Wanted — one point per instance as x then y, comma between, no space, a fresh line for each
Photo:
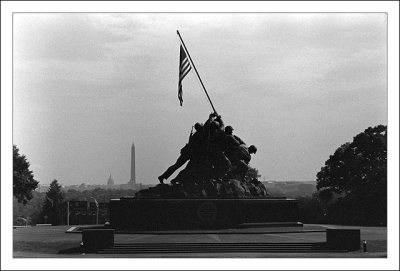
217,164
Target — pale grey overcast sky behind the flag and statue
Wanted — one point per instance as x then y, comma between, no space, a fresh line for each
296,85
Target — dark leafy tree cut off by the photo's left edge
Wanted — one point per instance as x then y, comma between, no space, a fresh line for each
23,182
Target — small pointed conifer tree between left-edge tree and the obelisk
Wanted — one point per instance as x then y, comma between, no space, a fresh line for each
52,205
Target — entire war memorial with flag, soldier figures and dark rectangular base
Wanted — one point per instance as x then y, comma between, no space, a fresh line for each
217,188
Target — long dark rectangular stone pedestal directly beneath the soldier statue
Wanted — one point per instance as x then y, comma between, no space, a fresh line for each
160,214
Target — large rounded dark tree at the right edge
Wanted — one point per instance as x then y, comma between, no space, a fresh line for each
353,182
